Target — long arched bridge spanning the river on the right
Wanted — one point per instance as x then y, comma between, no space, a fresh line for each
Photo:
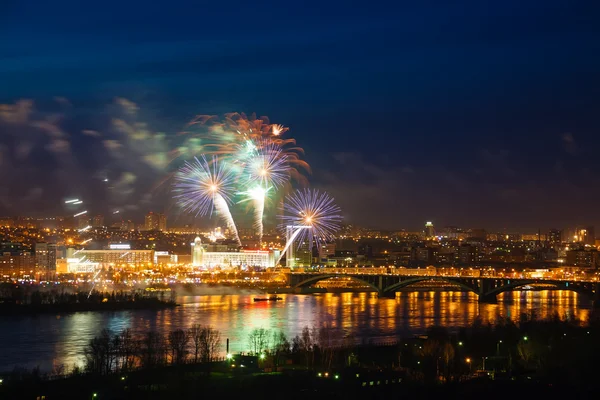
485,287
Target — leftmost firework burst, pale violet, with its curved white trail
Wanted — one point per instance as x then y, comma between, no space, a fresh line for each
201,189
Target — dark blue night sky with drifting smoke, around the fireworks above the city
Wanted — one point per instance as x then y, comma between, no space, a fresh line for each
470,114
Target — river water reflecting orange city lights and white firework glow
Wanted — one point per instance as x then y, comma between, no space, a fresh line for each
50,340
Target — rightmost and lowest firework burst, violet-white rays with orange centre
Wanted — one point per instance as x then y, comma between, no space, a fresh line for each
310,208
